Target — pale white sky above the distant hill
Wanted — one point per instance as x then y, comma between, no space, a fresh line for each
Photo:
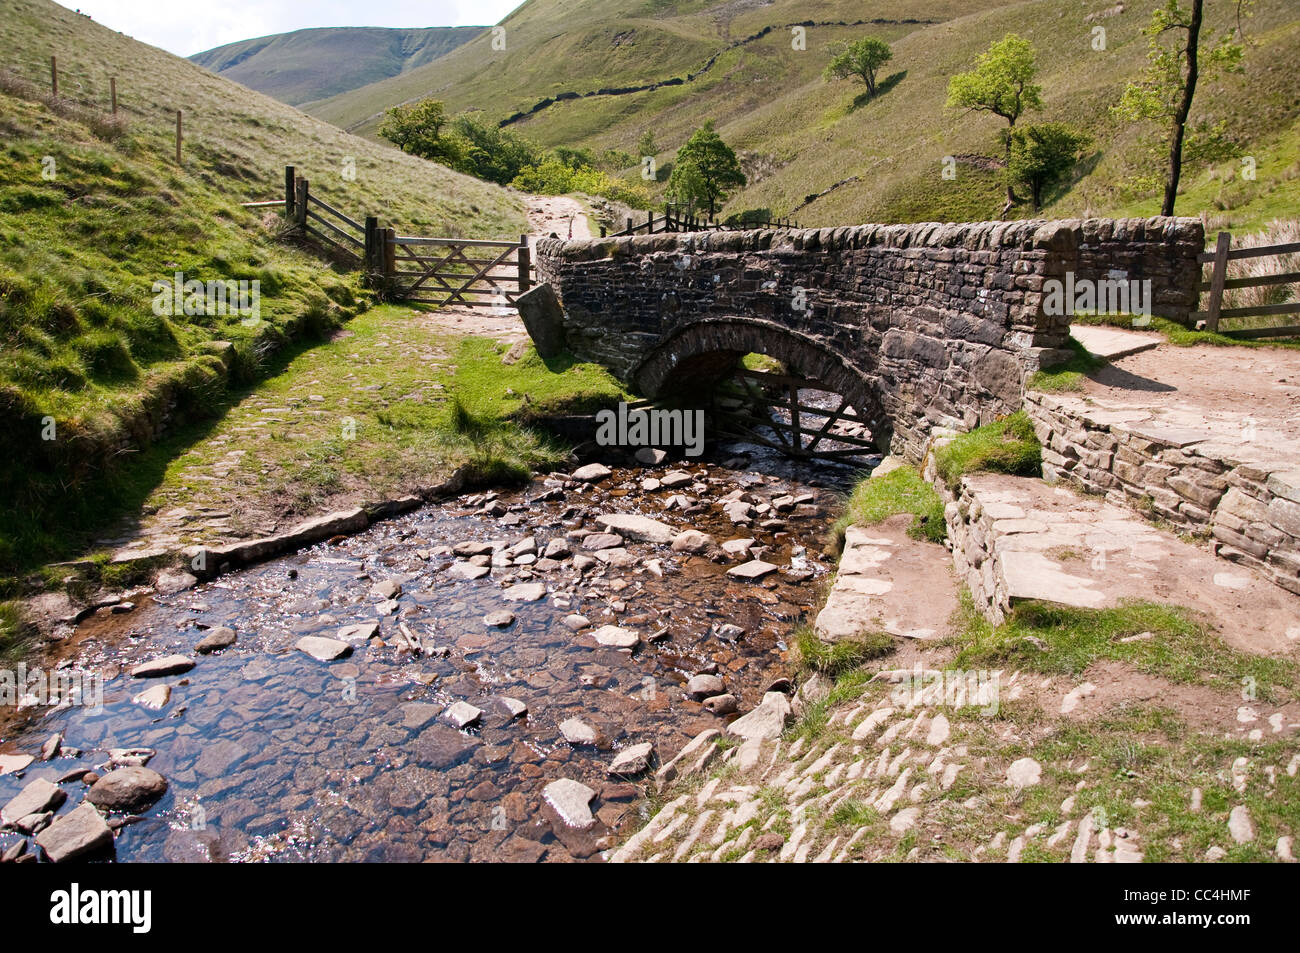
190,27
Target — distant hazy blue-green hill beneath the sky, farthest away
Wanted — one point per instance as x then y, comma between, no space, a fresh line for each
314,64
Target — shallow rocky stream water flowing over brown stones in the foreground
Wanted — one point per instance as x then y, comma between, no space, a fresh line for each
271,755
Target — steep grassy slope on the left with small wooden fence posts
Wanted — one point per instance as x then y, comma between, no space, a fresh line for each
94,211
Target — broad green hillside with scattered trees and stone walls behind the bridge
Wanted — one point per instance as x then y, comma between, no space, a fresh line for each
800,136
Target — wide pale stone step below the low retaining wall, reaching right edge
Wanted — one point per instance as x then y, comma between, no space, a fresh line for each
1021,539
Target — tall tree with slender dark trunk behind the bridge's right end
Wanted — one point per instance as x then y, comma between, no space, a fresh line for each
1168,86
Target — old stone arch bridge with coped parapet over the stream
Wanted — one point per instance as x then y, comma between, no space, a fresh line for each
917,326
